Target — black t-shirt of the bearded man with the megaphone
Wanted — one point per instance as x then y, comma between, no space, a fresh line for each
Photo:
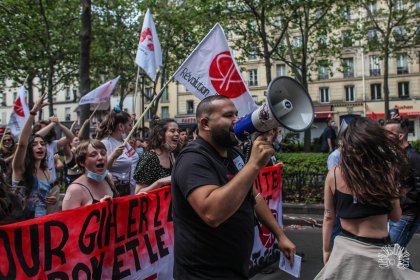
201,251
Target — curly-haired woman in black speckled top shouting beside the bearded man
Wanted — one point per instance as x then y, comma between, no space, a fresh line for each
155,166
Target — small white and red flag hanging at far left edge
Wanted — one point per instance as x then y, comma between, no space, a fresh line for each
20,113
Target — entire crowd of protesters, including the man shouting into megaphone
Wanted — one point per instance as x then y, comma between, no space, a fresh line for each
362,194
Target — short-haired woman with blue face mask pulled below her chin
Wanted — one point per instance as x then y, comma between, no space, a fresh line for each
95,184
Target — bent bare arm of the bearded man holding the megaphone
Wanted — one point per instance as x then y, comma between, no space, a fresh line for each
215,204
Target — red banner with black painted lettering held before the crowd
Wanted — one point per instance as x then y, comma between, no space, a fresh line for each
129,237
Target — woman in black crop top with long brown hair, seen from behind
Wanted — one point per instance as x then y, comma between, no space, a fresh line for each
364,191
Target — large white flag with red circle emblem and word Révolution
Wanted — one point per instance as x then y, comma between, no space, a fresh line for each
211,69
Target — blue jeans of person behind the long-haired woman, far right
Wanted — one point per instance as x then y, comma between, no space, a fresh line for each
402,231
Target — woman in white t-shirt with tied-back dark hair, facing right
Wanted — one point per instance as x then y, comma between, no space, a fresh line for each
122,159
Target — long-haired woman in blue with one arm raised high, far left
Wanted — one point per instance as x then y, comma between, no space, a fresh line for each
30,171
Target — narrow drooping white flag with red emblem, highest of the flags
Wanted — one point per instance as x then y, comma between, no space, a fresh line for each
149,53
